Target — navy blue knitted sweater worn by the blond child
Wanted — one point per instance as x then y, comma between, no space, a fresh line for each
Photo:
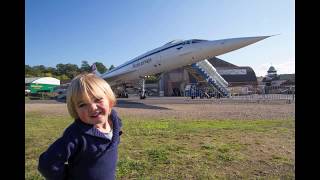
83,152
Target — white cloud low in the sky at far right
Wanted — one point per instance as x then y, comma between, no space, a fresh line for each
286,67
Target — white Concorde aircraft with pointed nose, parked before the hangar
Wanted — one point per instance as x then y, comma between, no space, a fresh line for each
172,55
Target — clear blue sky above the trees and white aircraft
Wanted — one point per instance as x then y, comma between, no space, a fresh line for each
113,32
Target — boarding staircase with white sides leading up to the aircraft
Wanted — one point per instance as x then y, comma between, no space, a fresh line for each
203,71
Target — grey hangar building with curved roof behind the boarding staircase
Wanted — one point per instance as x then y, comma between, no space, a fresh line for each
241,79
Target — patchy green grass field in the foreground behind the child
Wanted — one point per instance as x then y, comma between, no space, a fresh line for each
184,149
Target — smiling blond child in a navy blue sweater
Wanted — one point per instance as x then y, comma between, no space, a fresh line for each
88,148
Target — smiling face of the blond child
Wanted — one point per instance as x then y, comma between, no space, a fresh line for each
96,111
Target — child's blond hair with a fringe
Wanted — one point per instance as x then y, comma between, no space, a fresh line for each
86,86
